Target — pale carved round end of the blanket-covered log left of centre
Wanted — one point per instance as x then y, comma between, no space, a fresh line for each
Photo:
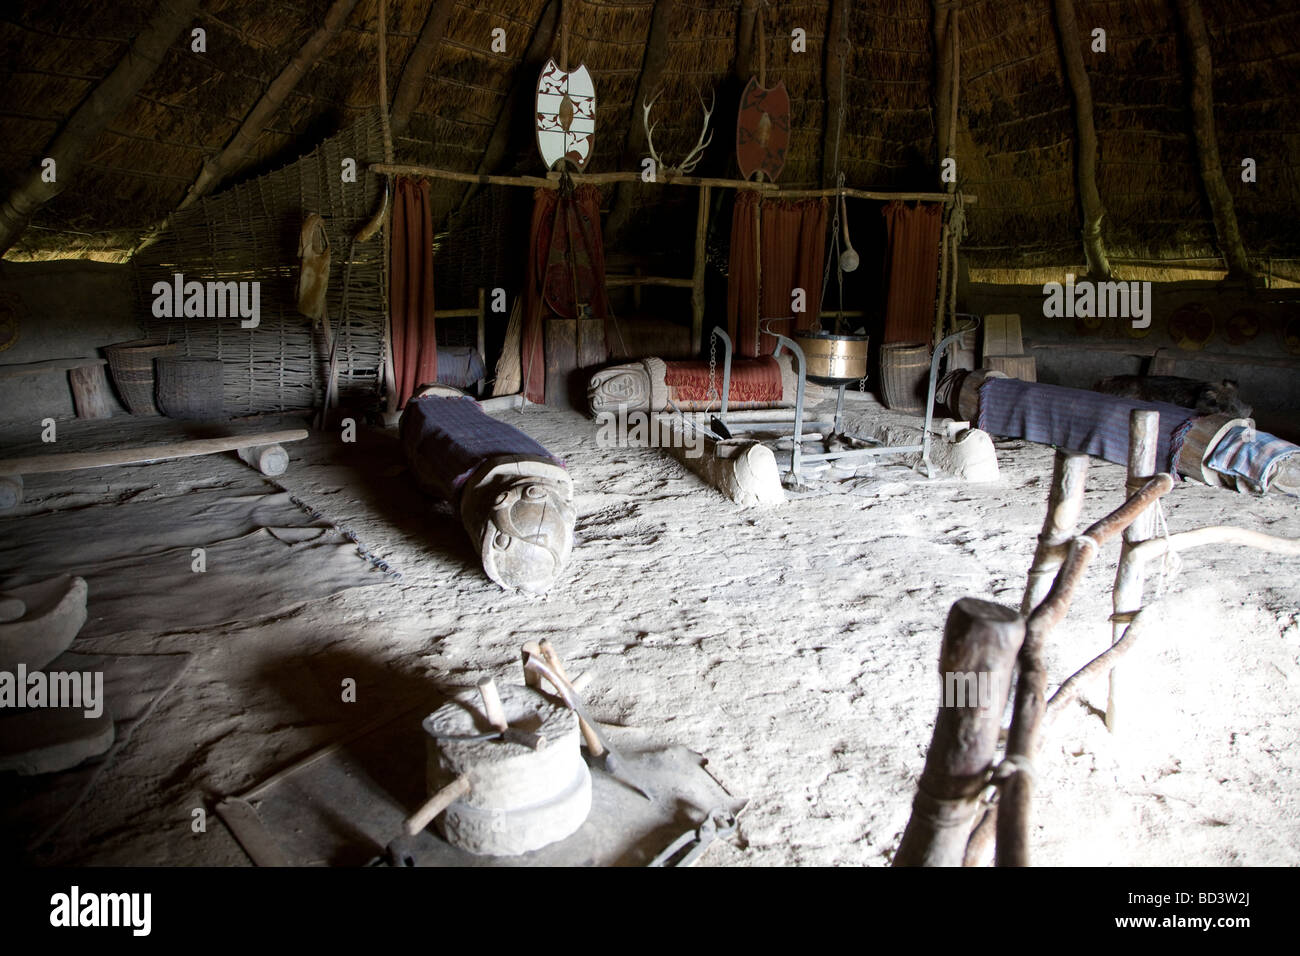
528,534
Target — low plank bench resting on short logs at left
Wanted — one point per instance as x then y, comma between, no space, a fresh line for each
259,449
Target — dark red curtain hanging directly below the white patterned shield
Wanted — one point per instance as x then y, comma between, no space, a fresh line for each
566,270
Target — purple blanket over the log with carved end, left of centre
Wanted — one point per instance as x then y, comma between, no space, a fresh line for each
447,439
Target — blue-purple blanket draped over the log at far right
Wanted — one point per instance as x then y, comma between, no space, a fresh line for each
1077,419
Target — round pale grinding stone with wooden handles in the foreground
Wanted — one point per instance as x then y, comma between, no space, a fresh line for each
519,799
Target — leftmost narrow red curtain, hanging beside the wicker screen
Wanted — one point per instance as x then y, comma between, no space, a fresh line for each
415,349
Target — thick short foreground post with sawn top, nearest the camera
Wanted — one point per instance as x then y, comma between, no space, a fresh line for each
981,639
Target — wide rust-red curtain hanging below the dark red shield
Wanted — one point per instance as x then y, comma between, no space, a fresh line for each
794,239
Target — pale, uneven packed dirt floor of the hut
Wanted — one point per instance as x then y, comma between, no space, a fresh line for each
795,647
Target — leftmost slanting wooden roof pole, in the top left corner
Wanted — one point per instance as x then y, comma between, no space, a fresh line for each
93,116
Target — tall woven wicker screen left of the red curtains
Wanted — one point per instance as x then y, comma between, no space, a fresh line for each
250,233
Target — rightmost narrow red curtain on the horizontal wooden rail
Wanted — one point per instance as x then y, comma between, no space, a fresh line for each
912,271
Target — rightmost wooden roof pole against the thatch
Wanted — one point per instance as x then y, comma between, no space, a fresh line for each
1202,79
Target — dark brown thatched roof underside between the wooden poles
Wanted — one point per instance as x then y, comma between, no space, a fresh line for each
1016,139
